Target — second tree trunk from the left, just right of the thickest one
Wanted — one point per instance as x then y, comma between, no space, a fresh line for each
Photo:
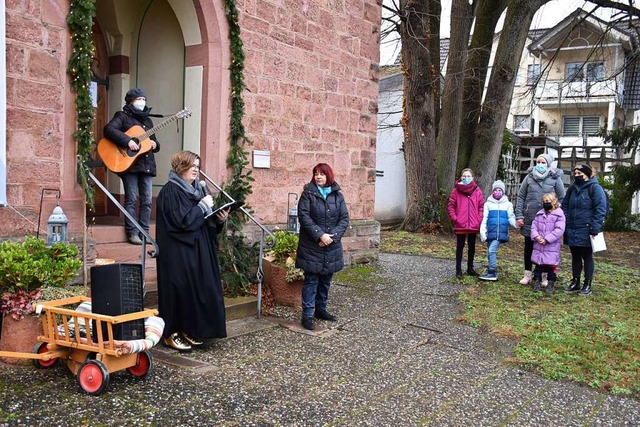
449,128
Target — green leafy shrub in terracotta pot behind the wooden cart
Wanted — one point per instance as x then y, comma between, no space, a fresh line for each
25,269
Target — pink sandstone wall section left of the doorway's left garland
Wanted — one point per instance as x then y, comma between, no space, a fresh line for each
38,130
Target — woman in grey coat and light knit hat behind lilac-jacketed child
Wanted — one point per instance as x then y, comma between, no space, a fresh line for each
541,179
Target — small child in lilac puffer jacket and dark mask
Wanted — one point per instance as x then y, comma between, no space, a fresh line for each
546,232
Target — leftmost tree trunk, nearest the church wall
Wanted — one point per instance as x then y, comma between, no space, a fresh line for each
418,120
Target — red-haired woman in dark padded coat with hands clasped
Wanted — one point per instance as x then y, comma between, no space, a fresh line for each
324,219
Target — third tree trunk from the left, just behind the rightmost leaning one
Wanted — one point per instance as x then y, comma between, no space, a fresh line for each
487,15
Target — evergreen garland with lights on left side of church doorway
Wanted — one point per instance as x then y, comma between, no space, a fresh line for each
80,23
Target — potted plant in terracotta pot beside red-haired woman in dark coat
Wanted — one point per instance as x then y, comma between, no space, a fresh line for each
280,272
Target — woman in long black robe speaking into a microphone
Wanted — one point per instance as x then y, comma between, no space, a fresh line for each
190,296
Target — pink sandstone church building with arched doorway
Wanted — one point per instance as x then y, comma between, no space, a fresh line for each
311,72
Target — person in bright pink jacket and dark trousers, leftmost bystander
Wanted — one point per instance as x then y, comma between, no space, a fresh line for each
466,204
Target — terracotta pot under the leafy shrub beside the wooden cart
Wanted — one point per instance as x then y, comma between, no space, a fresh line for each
19,336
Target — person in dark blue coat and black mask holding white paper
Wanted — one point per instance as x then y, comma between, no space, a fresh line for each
585,209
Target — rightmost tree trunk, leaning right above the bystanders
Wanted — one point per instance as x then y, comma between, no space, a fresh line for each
485,155
